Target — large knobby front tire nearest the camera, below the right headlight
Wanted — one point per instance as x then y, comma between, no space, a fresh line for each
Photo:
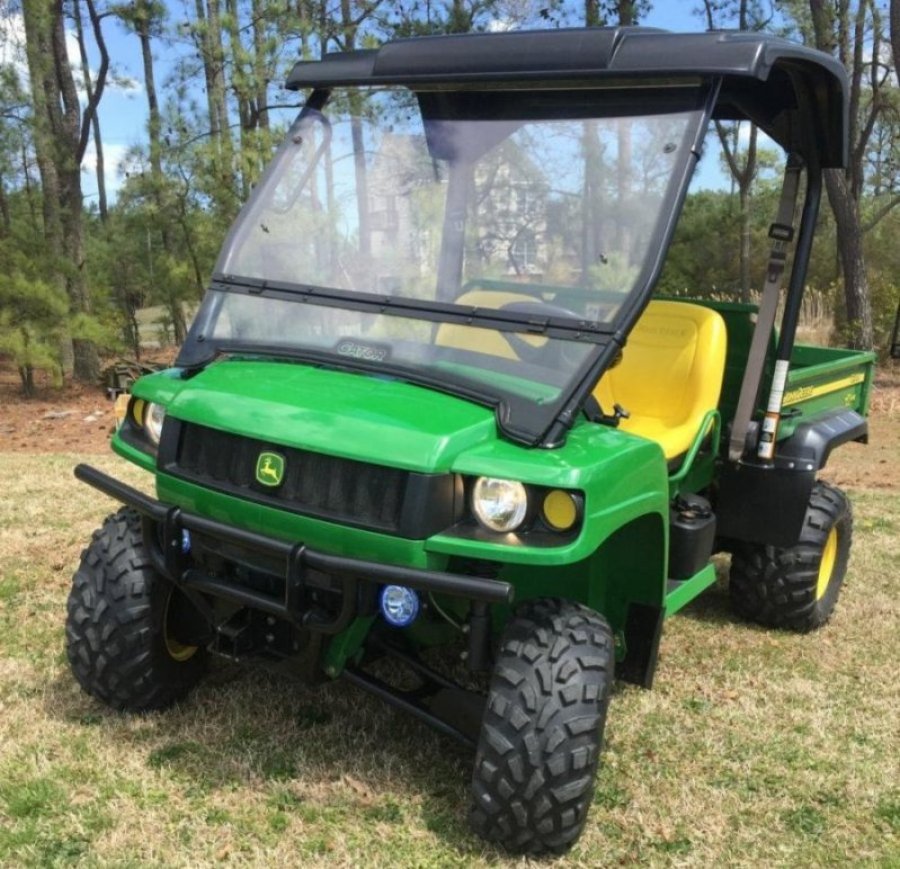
543,728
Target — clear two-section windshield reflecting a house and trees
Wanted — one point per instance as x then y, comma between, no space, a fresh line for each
548,208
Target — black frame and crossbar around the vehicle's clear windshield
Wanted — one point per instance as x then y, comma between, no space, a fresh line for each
514,413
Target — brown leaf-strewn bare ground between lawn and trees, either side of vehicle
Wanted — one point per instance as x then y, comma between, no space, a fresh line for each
79,419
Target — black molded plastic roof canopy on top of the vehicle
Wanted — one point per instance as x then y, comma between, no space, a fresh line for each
797,95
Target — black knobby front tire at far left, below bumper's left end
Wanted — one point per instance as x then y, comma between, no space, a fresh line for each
118,636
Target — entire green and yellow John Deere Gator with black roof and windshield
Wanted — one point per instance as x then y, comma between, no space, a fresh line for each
428,402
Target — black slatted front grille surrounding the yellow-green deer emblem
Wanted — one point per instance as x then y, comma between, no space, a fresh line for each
342,490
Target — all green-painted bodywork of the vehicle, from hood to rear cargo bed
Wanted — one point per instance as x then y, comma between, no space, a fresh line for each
618,557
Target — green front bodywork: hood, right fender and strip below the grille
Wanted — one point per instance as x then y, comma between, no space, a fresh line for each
393,423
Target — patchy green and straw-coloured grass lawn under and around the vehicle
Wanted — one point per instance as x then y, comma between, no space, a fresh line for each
755,748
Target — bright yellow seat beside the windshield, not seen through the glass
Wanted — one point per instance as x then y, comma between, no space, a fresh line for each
670,375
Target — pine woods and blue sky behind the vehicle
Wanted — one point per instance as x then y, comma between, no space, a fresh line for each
75,271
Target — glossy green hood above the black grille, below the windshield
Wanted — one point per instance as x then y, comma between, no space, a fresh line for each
355,416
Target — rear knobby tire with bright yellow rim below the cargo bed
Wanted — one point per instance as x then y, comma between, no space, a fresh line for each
797,587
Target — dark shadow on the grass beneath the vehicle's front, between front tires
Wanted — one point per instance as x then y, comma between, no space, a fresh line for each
331,753
